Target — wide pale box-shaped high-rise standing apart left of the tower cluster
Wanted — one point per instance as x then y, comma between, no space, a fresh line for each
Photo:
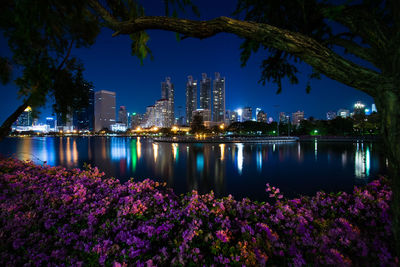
104,110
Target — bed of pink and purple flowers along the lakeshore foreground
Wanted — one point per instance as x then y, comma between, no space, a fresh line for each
55,216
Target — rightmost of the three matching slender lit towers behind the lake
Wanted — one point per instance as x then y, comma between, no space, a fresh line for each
218,98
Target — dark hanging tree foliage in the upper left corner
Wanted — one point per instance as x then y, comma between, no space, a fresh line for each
41,35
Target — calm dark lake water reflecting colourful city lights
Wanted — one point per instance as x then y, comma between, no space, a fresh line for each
238,169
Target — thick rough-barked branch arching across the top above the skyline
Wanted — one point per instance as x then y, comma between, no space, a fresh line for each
323,59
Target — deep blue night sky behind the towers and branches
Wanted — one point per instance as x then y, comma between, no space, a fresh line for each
110,66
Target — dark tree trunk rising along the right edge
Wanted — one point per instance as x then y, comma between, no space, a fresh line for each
388,104
